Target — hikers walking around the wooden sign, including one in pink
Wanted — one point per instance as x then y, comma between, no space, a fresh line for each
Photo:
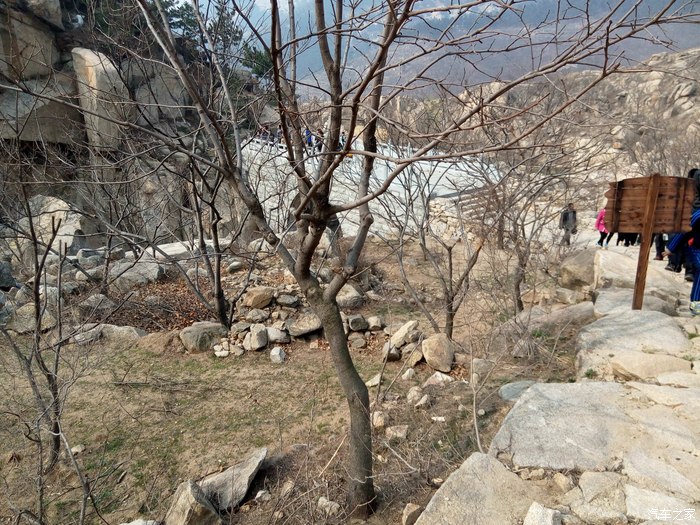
681,248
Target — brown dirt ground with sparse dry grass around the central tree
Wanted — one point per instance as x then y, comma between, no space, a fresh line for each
151,416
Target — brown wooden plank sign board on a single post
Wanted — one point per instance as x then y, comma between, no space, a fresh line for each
648,205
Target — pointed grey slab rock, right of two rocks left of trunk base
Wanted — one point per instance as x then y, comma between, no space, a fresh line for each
227,489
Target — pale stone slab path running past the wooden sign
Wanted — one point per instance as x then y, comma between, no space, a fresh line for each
621,445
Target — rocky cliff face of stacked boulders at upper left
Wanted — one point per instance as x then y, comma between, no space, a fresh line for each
76,103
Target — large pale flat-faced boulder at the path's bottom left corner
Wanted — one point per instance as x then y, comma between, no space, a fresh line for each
481,491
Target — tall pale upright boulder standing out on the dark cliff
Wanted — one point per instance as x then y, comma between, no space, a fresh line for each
103,96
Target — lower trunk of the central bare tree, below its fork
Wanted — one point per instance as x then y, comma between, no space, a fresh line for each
361,499
